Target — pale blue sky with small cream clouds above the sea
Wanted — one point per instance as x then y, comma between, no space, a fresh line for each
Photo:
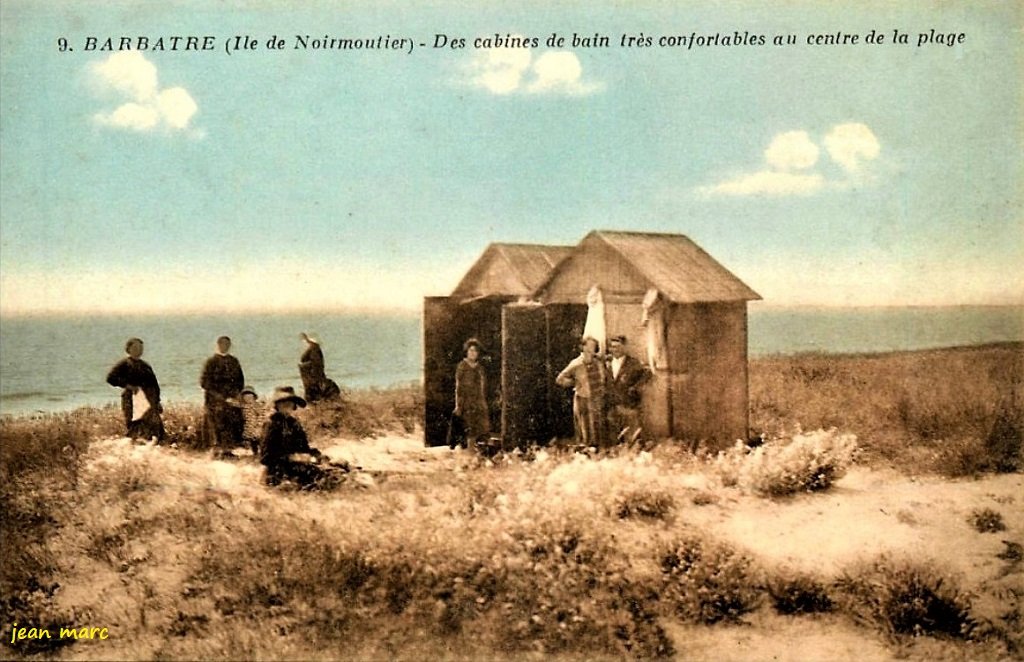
332,179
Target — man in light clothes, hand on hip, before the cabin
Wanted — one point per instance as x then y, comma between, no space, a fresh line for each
586,375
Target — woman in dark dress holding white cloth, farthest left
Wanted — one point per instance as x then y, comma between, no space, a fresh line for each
141,395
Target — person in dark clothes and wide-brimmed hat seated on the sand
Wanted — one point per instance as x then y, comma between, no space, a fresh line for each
286,452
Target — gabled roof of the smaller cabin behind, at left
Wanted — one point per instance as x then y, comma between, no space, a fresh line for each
510,270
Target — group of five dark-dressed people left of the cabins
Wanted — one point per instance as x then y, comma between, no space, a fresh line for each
233,415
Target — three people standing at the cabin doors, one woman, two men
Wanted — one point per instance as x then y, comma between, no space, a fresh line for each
607,401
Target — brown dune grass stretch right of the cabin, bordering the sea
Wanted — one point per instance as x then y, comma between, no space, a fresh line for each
956,412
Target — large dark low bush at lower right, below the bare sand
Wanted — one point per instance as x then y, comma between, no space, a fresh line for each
905,598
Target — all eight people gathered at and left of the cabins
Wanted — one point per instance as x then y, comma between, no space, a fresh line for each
607,404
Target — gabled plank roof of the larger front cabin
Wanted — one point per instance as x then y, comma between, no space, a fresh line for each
671,264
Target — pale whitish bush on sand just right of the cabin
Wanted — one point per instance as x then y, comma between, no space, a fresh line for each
806,464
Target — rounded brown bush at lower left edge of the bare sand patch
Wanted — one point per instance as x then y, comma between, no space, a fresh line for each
707,583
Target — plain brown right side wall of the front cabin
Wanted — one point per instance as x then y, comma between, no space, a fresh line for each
707,345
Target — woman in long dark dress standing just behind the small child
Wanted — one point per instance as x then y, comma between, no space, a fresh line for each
223,381
